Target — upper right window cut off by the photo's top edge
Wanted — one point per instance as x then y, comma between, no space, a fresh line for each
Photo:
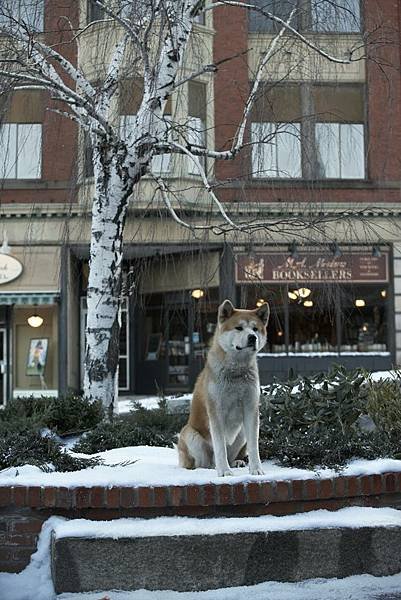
327,16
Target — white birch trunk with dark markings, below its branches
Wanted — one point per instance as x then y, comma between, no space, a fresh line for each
104,285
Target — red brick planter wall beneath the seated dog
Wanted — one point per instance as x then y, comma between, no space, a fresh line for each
24,509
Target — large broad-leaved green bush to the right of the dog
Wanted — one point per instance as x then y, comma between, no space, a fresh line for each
313,422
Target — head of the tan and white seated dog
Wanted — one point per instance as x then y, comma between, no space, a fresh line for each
242,330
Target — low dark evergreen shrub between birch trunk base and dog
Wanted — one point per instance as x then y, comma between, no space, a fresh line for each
141,427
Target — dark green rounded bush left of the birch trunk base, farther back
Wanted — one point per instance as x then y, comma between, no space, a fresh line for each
65,415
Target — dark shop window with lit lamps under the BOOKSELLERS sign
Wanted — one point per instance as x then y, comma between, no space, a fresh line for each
319,319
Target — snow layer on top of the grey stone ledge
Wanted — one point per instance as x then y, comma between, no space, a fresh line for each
353,517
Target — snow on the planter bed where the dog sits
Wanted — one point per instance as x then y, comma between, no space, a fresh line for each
150,466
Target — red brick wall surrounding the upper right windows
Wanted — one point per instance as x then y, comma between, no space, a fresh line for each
382,21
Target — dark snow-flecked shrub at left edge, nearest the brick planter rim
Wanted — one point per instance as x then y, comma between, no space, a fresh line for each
19,448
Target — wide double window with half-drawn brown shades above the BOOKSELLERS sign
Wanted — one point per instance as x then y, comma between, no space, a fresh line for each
316,132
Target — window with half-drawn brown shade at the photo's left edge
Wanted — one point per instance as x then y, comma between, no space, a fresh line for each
21,136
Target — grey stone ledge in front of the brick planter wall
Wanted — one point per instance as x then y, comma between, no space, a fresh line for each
203,558
